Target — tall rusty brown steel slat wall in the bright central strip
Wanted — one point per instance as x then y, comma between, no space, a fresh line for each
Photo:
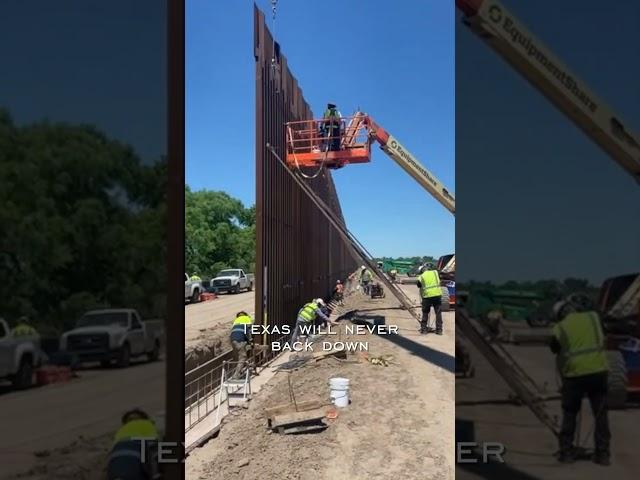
299,255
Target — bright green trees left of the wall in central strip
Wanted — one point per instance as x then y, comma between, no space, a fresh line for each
219,233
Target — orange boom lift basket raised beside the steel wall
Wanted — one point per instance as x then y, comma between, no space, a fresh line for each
309,143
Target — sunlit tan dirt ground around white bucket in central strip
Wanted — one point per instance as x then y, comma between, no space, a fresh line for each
400,420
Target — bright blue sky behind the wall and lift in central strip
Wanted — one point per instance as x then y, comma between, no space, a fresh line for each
395,61
